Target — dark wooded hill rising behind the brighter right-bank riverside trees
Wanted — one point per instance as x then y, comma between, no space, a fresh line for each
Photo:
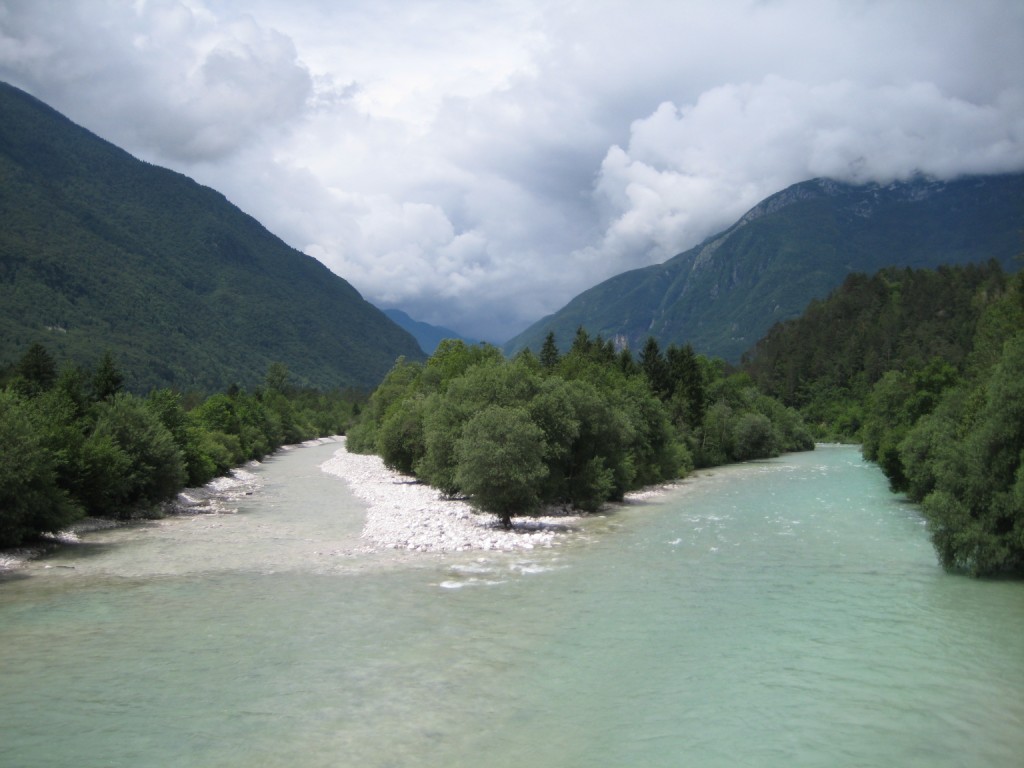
826,362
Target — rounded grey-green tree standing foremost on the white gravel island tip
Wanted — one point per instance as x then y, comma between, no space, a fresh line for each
501,461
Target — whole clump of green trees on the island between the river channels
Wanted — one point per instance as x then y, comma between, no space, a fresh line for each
578,430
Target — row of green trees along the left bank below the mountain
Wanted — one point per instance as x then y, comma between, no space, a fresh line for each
74,443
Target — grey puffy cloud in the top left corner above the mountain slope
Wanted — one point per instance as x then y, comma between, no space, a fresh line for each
166,79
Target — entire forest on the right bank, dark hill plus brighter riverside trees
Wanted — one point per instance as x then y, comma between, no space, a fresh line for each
925,369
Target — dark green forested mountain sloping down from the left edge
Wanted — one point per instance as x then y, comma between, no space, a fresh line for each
101,251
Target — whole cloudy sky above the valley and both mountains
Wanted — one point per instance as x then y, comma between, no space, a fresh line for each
480,164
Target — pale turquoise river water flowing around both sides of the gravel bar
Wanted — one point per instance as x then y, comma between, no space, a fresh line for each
776,614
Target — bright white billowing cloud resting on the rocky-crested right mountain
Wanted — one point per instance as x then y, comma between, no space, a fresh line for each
689,172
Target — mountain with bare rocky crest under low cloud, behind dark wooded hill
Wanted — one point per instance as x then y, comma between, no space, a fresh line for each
795,246
